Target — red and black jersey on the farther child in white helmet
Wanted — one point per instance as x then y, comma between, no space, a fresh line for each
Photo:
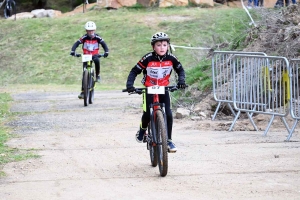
90,45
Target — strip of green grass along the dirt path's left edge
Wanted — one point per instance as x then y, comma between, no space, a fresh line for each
8,154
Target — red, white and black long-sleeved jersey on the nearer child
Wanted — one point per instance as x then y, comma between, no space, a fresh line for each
156,69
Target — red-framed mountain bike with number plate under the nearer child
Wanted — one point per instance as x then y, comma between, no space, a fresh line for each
157,136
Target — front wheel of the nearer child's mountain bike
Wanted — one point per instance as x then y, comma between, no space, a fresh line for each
162,148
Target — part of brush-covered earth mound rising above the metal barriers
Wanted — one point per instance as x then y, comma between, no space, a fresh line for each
278,32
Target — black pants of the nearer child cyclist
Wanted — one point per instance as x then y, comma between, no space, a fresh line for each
163,98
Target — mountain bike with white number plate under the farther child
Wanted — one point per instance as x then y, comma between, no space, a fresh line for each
88,78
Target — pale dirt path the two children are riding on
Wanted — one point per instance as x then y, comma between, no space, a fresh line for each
90,153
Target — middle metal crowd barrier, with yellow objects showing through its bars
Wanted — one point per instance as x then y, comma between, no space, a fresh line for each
262,85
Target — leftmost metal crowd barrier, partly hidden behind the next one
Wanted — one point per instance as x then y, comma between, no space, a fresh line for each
222,73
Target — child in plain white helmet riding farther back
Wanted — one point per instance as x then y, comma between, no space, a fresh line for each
90,45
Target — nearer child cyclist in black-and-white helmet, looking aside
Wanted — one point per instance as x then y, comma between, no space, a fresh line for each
157,68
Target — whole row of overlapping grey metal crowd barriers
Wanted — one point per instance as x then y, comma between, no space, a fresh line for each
257,83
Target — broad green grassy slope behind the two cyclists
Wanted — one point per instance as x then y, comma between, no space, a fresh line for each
36,51
